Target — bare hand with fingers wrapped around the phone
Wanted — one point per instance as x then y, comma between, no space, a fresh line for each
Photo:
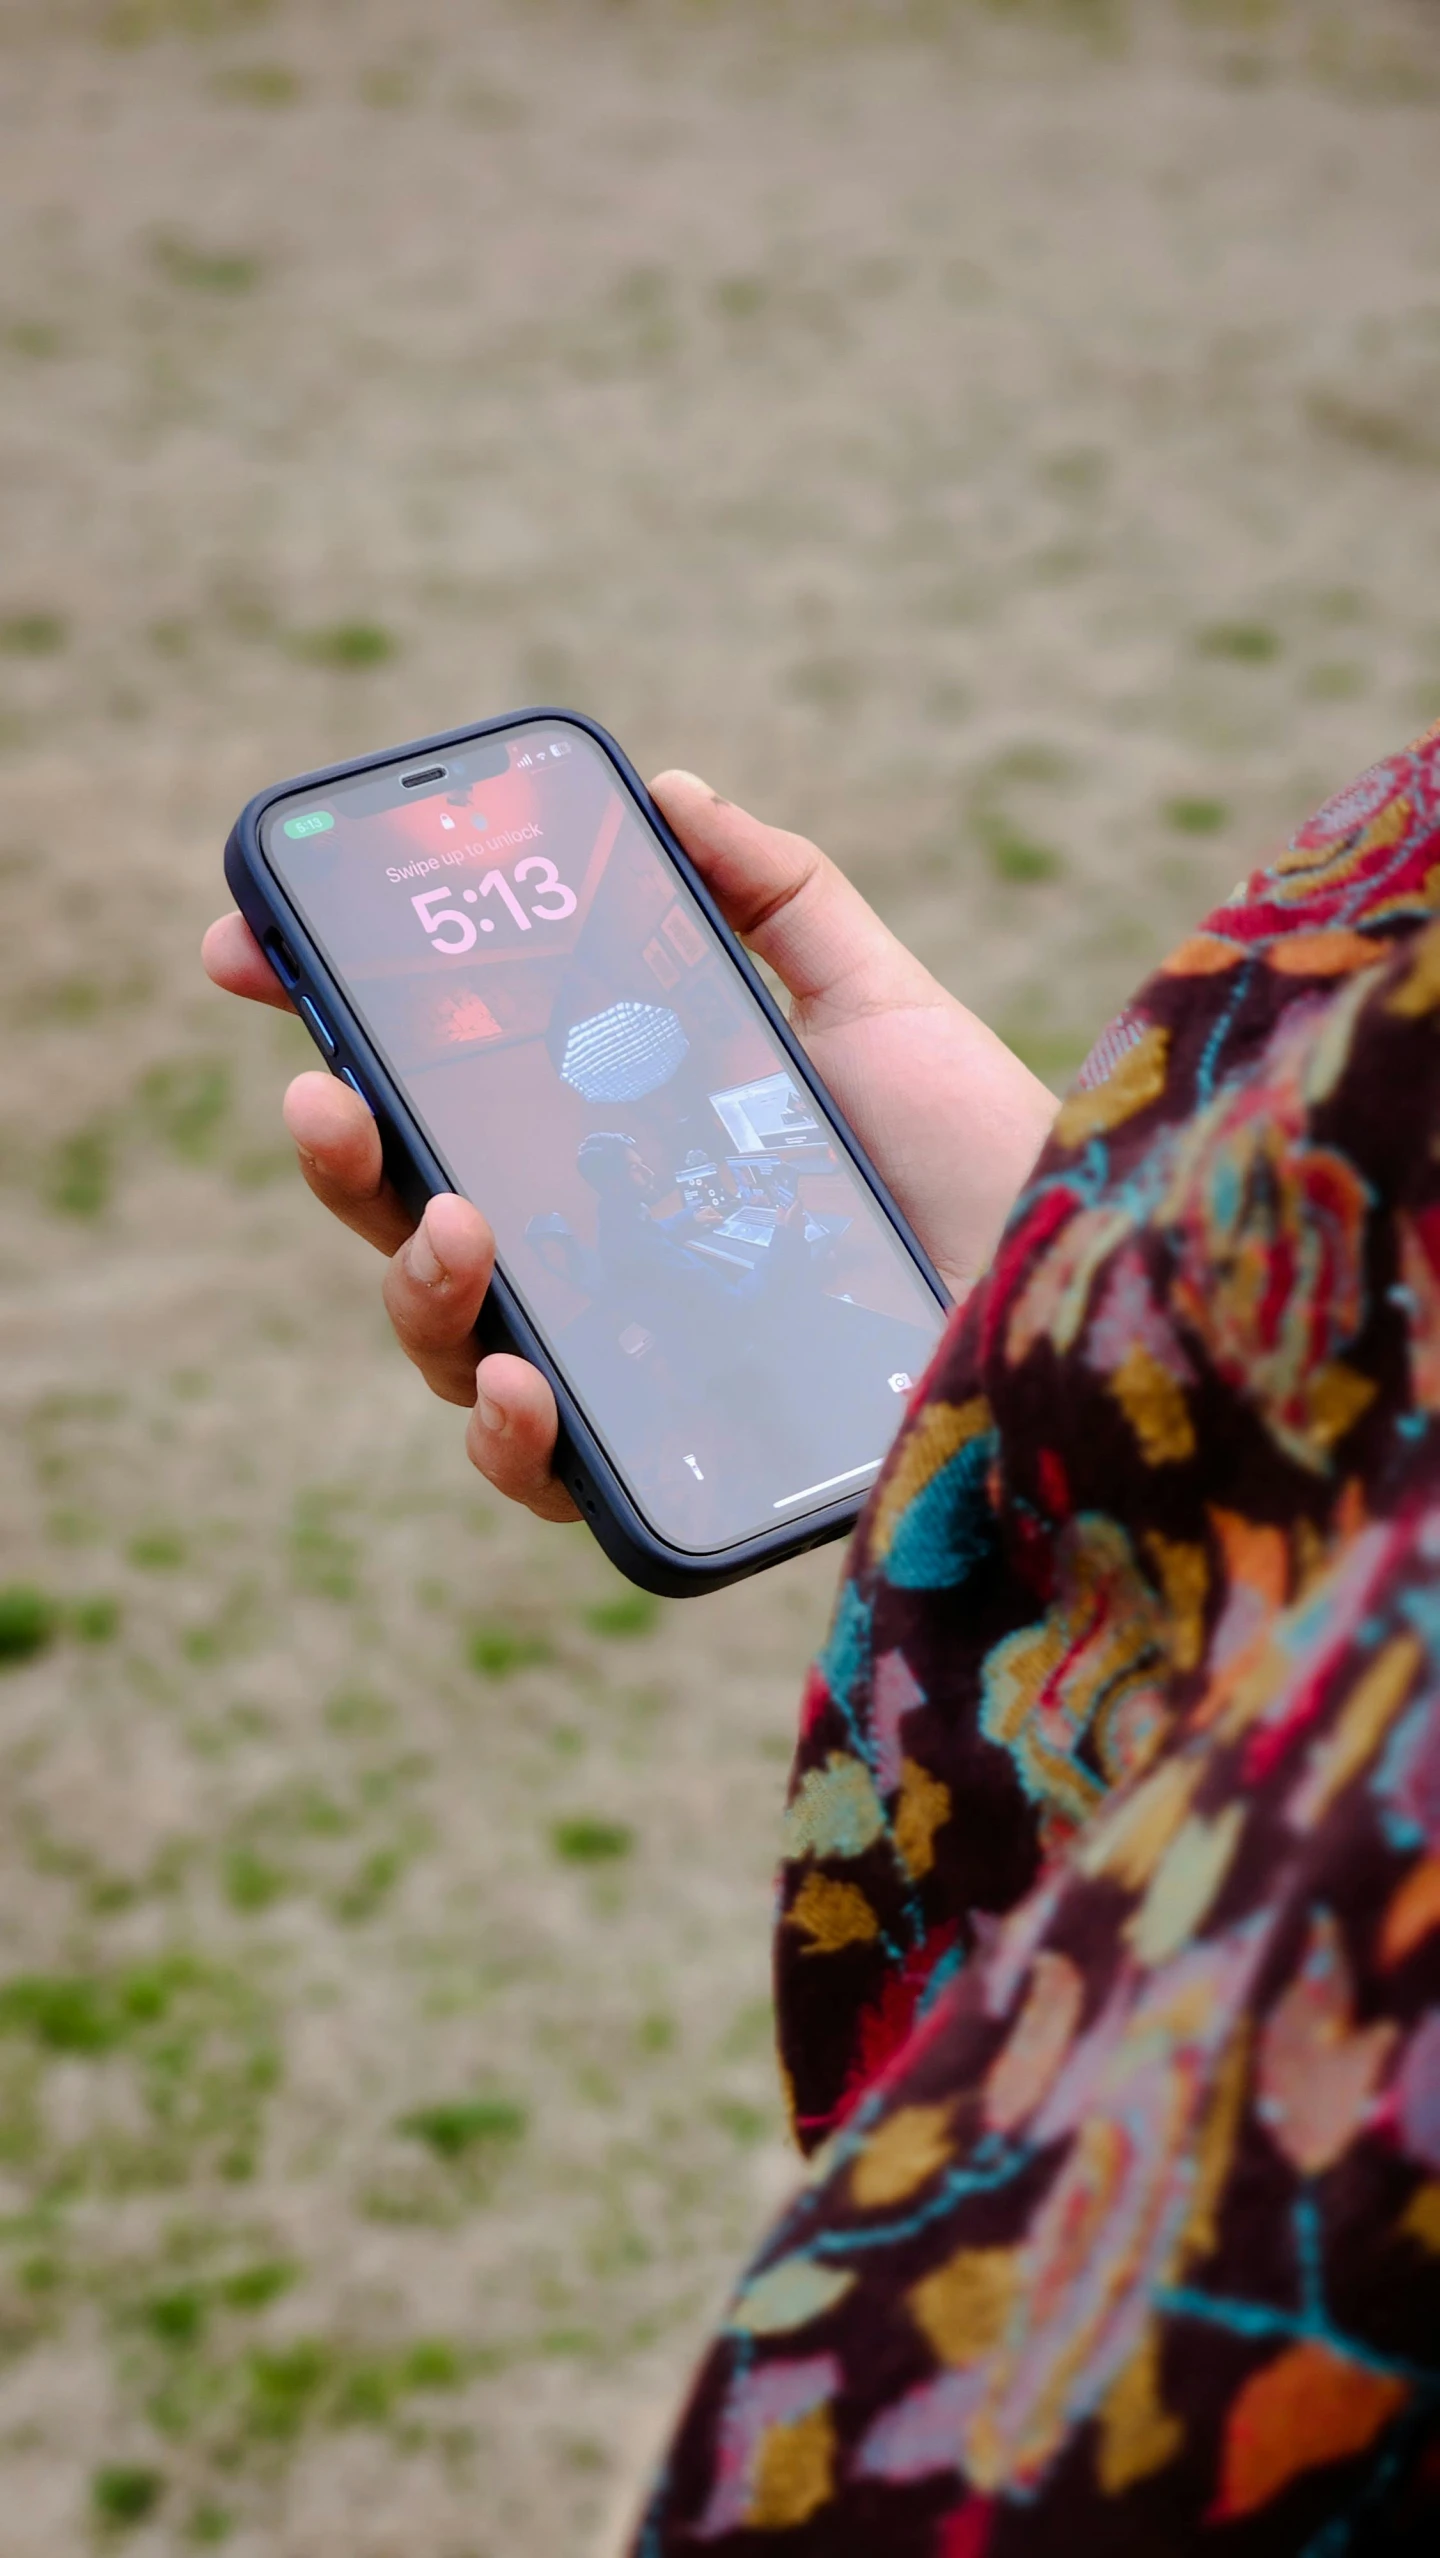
948,1114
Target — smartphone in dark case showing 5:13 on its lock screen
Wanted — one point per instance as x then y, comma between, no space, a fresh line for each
500,945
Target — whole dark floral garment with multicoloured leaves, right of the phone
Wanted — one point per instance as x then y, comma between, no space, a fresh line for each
1111,1907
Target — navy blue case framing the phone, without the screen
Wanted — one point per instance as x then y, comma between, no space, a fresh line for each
582,1462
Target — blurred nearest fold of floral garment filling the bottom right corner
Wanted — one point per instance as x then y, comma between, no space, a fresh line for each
1137,2247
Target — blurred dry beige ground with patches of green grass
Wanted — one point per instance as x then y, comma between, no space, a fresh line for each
999,439
